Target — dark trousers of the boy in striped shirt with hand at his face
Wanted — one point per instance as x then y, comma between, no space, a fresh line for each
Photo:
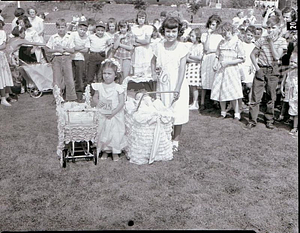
267,83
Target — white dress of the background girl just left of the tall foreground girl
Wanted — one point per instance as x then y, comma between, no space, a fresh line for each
142,55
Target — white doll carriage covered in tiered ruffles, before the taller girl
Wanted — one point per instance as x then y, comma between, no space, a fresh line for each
148,128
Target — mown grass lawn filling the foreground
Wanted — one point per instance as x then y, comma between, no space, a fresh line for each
223,178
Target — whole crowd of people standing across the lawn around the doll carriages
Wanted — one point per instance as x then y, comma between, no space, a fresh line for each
238,64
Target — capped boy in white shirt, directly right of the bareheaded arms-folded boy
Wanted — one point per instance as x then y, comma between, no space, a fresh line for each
80,39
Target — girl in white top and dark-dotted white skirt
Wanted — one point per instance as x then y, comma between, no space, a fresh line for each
193,65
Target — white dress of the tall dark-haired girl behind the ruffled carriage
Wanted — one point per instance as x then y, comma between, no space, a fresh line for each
169,62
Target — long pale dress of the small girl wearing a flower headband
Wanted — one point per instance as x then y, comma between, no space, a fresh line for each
111,132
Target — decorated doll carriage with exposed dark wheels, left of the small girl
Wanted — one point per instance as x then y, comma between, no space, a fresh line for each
77,129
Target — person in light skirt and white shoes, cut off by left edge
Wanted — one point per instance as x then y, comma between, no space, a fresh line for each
6,80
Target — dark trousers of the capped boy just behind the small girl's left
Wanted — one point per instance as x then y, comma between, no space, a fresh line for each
93,68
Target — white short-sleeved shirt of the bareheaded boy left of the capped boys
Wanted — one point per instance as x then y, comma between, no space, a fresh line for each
57,41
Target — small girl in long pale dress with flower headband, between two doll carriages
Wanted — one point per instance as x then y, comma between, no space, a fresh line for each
109,99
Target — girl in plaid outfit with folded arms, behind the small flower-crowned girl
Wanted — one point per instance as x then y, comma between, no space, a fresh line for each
123,47
